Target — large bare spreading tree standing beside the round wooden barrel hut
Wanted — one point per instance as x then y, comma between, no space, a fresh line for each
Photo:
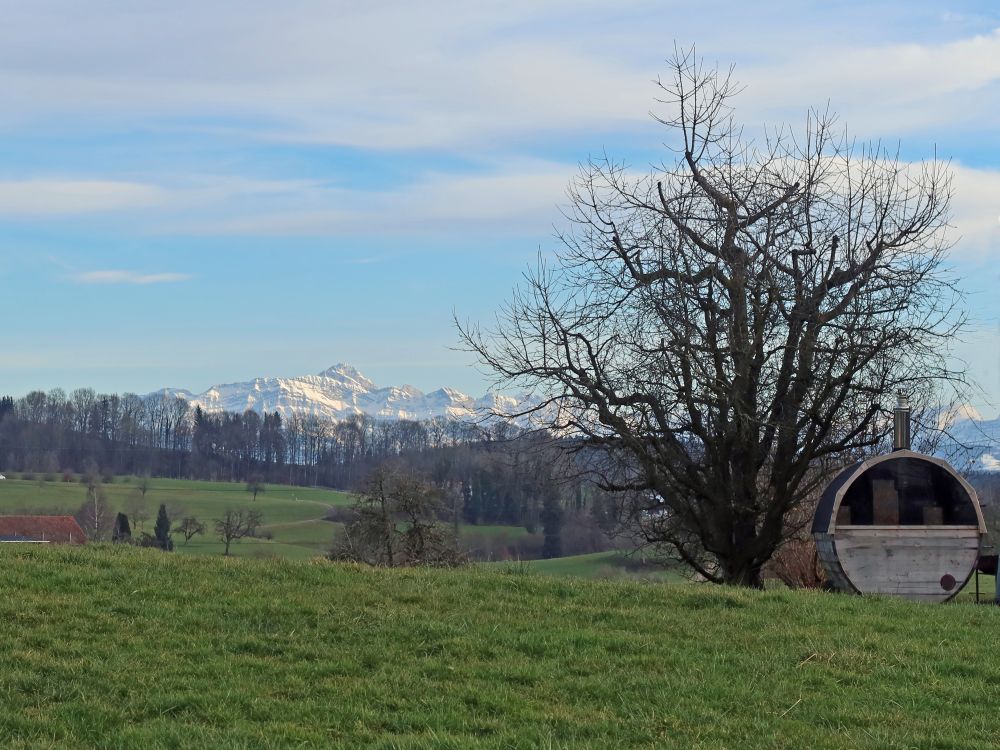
726,329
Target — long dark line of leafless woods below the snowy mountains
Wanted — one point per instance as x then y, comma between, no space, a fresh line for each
485,474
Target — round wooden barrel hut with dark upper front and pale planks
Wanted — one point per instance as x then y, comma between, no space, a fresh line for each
903,524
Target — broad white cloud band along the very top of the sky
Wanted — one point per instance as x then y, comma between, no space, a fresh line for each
453,75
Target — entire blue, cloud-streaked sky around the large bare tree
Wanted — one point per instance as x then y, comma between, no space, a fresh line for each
197,193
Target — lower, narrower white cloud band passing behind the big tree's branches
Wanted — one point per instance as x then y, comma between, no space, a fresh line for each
521,196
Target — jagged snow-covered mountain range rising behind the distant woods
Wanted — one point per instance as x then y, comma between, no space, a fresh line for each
337,393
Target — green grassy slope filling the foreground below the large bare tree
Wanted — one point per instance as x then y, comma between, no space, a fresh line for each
122,647
